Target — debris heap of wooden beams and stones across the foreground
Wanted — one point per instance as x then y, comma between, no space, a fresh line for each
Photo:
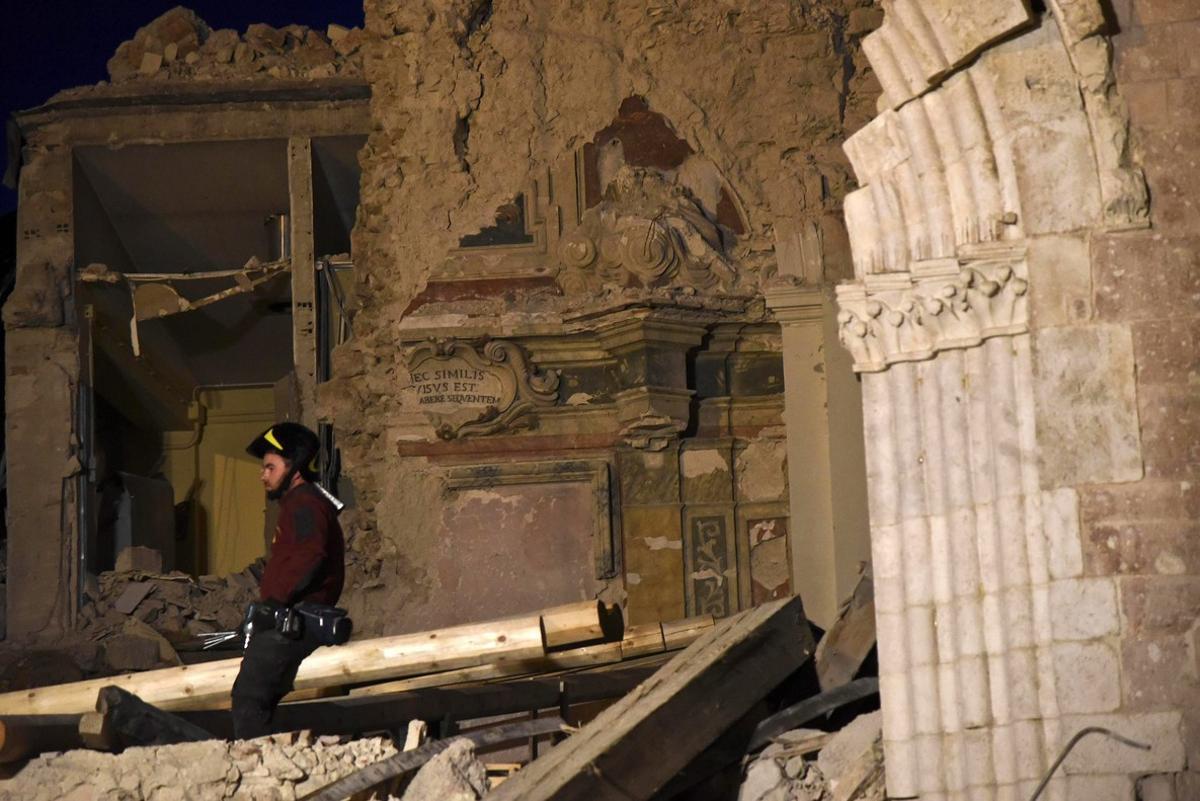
601,695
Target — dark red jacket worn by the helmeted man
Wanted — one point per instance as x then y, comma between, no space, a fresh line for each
308,553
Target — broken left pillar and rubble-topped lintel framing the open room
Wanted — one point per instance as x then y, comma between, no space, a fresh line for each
175,55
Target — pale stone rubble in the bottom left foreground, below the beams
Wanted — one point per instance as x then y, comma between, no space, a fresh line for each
277,768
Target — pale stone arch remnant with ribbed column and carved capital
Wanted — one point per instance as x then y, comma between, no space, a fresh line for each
1000,148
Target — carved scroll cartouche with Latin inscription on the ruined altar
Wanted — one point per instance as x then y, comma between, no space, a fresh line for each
472,390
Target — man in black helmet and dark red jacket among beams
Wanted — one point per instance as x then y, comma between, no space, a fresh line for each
307,564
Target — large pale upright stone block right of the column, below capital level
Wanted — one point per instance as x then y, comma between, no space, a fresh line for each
1088,417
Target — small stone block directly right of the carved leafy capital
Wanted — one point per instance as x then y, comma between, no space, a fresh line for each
1060,280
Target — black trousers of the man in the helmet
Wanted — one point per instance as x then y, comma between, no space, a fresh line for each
268,672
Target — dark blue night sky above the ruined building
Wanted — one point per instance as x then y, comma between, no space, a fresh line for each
55,45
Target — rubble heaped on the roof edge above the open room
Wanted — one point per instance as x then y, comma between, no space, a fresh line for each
181,45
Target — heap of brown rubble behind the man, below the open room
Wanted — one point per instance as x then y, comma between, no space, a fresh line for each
143,619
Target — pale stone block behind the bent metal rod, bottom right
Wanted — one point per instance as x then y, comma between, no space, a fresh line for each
1100,755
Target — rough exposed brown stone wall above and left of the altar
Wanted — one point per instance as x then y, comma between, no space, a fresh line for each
472,99
